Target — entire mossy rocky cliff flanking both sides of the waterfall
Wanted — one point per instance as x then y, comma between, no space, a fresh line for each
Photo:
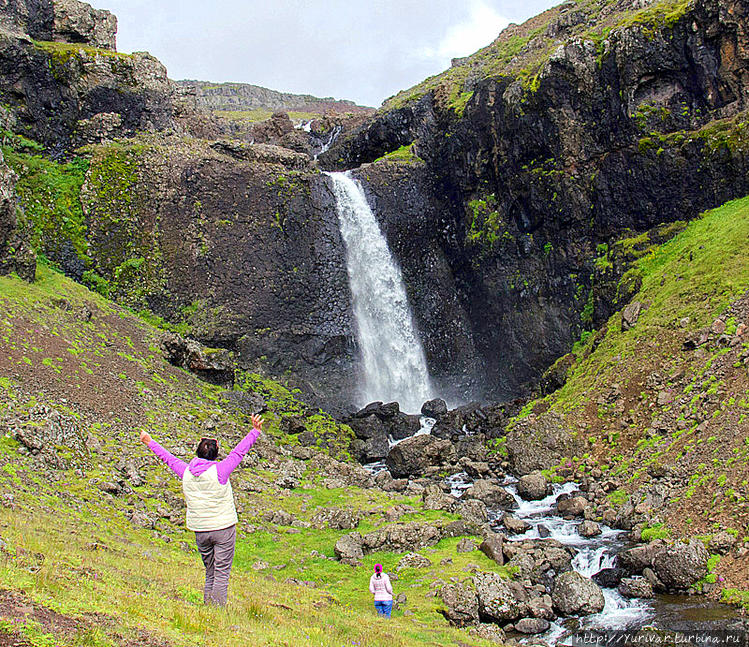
501,185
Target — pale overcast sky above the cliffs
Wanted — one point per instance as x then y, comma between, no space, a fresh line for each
363,50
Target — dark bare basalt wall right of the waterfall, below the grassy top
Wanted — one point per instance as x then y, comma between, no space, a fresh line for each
514,196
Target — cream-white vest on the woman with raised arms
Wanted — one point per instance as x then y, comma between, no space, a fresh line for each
210,505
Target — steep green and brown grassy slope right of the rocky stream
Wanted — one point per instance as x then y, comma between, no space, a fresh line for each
667,401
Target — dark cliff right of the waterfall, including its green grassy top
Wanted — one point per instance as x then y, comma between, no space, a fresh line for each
541,150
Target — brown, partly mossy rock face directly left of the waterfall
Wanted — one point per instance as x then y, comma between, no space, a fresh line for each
244,239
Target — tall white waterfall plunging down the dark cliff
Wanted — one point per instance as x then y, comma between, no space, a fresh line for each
393,358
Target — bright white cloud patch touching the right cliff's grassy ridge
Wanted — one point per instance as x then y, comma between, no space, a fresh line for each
480,28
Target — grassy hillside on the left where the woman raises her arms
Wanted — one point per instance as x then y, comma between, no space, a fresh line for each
93,542
